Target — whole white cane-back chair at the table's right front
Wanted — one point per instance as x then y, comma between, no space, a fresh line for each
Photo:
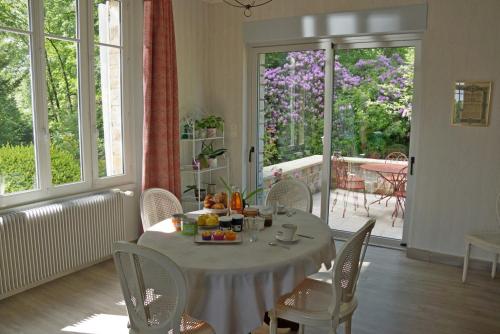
323,305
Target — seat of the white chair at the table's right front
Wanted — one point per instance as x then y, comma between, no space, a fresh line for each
311,299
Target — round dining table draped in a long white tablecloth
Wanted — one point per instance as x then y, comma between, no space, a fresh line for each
231,286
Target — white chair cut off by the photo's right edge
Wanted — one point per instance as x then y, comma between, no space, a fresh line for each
488,241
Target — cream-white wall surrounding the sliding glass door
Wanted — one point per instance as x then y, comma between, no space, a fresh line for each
458,174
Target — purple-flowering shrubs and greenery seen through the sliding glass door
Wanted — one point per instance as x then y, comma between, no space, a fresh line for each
372,93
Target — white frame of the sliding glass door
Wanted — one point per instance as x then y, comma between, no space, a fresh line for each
340,43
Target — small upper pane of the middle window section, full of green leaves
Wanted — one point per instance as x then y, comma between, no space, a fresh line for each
60,17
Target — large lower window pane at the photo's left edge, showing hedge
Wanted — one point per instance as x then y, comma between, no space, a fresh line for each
17,154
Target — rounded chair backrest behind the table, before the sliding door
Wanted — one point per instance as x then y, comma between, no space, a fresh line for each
291,192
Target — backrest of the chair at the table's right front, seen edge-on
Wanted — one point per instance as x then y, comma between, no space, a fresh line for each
348,266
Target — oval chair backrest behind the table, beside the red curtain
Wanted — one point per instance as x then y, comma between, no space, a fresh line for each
156,205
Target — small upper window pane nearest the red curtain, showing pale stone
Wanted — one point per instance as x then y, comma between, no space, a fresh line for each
107,21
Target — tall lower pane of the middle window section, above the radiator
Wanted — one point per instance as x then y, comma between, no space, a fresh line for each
62,87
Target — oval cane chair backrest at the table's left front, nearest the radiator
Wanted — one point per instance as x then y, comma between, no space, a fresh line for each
153,286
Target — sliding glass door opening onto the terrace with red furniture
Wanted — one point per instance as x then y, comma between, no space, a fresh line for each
338,119
